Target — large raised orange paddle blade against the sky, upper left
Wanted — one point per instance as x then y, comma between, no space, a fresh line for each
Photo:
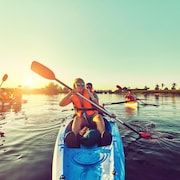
42,70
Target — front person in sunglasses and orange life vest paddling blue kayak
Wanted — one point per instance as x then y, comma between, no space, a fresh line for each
85,115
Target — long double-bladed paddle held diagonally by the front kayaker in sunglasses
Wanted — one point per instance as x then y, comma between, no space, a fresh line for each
49,74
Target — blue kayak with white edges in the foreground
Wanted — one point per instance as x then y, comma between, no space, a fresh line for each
89,163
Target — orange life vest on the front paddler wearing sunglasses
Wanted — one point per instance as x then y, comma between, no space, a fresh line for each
81,105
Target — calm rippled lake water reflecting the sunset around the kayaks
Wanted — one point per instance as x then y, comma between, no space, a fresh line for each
30,131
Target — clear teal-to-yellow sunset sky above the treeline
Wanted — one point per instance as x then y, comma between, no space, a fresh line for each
131,43
